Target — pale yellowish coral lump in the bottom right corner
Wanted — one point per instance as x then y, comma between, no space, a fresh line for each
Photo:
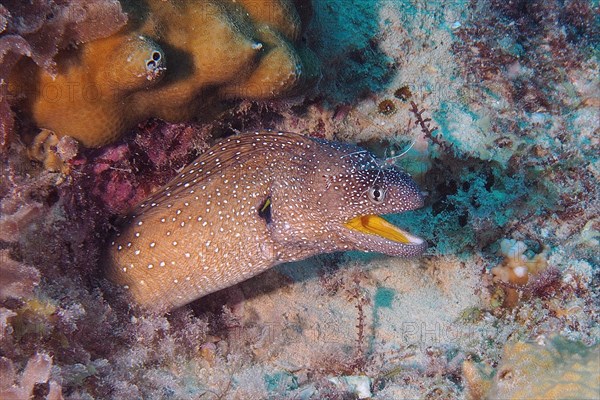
554,369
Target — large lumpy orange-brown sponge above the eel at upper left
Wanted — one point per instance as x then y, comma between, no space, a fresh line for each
175,61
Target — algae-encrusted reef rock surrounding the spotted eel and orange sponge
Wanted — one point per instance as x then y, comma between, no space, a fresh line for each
513,90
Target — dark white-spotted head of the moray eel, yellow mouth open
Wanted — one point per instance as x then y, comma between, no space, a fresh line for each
341,205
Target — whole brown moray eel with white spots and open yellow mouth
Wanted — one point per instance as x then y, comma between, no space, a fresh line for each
253,201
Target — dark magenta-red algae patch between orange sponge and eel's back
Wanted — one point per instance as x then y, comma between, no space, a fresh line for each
122,175
